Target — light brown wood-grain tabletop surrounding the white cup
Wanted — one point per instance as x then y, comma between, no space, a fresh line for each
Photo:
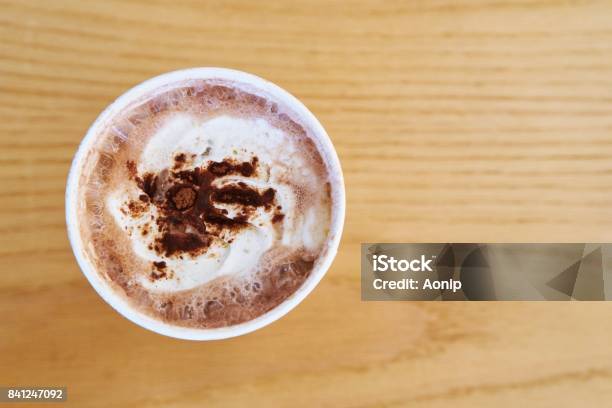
455,121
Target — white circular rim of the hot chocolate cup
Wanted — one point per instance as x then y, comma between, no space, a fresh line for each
118,302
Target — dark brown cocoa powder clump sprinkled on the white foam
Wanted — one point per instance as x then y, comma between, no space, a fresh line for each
189,219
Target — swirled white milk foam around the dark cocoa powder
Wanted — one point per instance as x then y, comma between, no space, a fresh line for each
282,166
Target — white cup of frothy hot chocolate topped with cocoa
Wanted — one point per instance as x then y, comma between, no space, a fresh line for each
205,203
